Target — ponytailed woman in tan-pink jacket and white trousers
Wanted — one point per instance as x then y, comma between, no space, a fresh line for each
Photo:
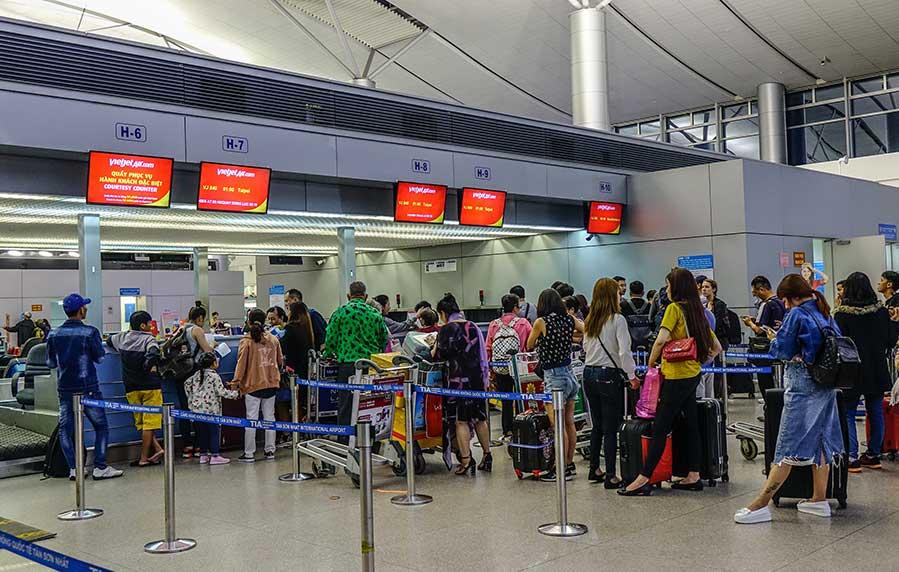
258,373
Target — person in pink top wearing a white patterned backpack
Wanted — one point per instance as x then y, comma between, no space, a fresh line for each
506,336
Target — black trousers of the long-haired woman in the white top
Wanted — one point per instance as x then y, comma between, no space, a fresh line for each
606,399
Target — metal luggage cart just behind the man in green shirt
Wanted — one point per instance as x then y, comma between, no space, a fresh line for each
376,406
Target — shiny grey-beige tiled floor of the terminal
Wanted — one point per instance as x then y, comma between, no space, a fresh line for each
243,518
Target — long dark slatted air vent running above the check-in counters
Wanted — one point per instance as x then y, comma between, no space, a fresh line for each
148,77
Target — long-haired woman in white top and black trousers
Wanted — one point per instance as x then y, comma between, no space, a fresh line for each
610,364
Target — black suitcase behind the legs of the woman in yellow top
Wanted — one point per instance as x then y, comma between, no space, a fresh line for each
713,443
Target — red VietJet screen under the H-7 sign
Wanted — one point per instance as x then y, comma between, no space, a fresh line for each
232,188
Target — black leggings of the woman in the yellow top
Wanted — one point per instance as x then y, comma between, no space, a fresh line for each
676,396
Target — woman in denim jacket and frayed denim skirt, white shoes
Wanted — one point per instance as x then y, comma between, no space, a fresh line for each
809,426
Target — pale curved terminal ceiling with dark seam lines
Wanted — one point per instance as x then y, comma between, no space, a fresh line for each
513,55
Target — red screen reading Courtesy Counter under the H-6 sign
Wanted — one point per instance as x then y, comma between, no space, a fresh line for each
129,180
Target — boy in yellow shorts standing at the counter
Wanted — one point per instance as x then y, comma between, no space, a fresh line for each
140,354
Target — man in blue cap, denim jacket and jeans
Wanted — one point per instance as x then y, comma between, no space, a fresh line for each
75,348
